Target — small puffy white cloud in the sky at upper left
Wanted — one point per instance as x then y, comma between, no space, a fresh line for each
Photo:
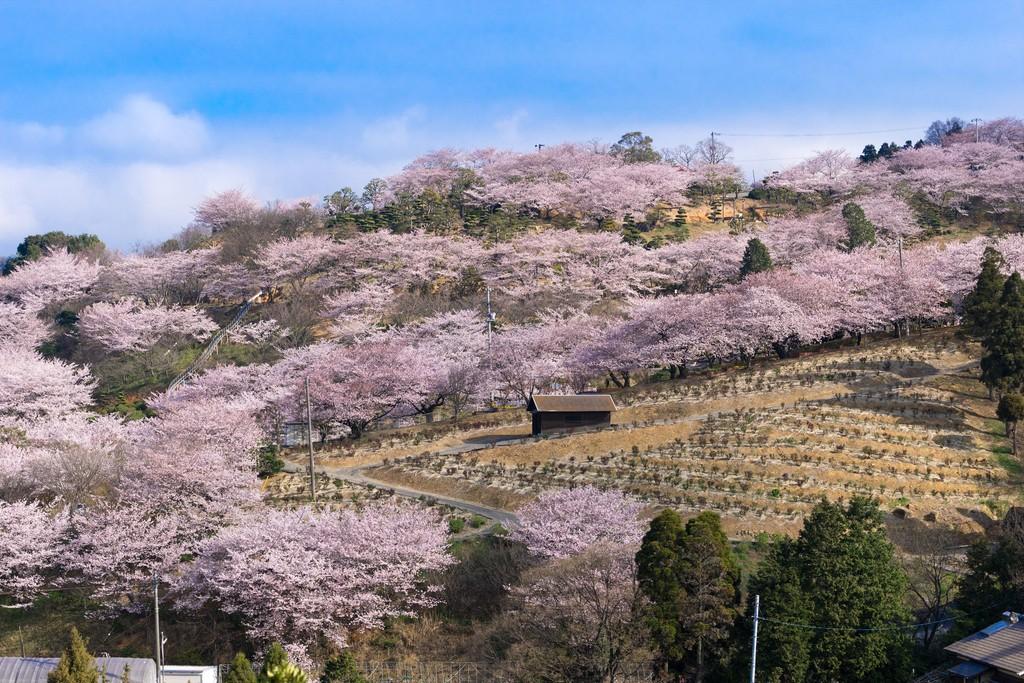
142,127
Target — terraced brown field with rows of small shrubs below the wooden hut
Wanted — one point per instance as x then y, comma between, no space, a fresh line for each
918,444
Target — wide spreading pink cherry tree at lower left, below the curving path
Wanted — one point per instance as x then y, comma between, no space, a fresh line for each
297,576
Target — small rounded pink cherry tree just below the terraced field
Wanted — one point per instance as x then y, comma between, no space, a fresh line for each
568,522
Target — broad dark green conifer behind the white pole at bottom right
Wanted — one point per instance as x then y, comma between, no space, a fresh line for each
841,574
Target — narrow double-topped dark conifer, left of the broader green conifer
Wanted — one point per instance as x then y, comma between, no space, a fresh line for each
692,579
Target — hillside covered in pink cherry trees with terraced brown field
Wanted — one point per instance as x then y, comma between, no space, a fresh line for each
842,356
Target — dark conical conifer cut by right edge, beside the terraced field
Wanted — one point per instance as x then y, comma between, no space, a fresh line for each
1003,365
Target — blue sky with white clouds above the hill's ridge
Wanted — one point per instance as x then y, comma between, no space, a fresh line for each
117,118
